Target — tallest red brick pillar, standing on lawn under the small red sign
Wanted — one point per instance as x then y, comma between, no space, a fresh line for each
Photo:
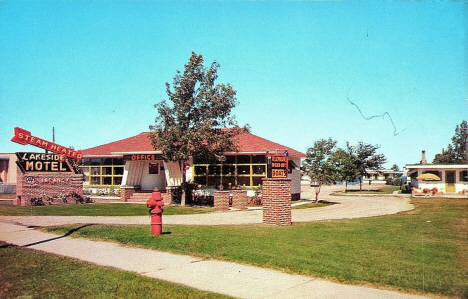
276,194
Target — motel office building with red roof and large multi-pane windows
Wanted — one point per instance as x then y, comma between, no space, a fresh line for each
132,167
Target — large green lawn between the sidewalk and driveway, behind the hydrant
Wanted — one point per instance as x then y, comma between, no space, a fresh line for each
425,250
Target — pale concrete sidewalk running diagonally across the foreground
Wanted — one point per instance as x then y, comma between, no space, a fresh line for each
232,279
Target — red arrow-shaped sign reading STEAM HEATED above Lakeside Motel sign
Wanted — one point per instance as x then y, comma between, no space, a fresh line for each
24,137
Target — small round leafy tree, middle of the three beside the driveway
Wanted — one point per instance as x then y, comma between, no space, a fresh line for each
345,166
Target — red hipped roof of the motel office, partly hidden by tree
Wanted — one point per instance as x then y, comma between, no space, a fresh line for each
248,143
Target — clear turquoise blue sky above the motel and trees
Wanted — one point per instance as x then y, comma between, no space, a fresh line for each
94,69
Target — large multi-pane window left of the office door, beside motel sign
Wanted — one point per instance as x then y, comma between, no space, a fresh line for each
102,171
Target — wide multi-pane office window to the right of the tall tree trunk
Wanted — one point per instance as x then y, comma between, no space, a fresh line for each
241,170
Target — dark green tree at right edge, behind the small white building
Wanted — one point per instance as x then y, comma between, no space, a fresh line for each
456,152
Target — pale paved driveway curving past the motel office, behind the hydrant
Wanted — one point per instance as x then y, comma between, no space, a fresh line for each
345,207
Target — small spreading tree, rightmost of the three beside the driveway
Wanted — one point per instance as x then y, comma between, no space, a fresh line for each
366,158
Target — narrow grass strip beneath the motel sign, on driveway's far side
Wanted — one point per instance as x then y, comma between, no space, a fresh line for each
93,209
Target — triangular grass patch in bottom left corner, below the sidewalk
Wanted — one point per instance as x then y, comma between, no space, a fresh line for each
28,273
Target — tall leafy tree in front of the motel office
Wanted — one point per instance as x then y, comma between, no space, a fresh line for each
197,122
